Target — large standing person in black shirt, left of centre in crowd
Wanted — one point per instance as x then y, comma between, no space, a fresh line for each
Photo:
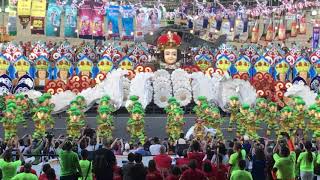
103,161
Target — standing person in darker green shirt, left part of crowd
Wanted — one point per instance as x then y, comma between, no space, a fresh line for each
69,162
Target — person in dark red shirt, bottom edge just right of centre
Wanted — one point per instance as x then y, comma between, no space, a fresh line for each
193,173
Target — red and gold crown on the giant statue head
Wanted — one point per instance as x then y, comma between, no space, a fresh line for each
169,40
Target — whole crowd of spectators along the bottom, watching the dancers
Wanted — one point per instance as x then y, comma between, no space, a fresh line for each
91,157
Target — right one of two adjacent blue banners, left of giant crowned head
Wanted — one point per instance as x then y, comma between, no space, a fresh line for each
127,22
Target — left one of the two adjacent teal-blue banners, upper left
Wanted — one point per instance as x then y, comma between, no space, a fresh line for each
53,19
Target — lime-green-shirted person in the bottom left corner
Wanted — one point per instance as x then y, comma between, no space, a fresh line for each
9,167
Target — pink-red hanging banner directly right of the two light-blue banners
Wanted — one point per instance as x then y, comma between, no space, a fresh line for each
85,14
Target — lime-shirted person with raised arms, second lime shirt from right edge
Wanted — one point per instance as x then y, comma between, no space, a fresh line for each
284,163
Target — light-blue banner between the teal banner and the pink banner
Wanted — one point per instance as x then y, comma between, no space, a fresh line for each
70,21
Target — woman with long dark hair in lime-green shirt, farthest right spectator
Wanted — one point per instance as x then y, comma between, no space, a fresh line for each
305,162
